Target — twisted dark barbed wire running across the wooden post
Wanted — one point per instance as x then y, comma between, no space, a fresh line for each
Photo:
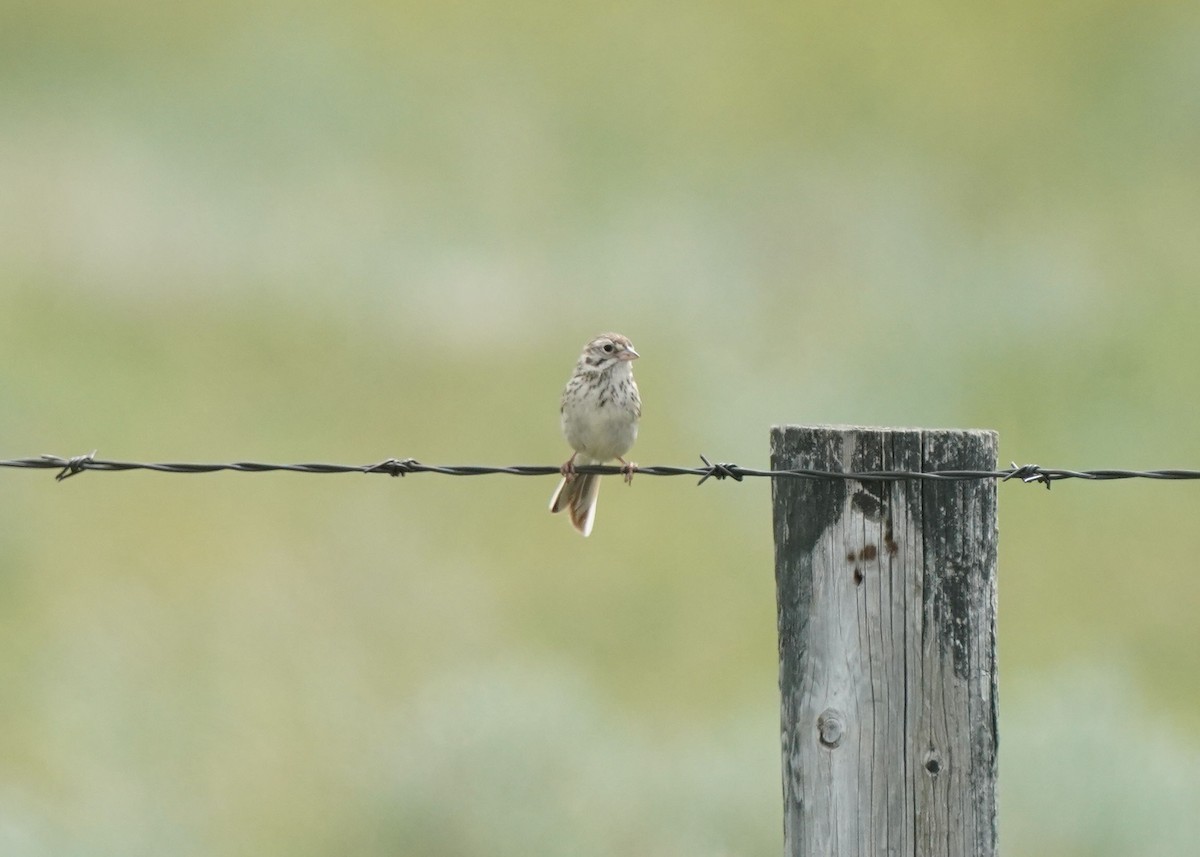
404,468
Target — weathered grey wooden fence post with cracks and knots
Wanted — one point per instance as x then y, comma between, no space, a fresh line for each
887,644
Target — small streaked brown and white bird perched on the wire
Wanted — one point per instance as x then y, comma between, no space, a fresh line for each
599,416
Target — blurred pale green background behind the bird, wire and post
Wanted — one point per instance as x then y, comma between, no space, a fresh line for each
345,232
